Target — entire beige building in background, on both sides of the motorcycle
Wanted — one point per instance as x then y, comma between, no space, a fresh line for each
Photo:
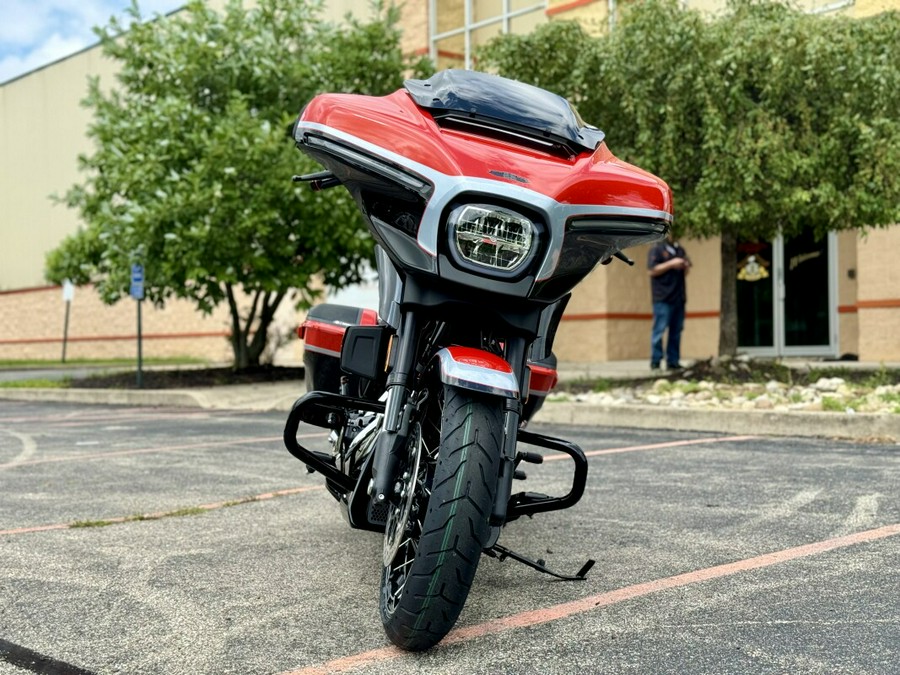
825,299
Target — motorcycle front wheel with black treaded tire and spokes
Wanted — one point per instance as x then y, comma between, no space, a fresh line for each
436,534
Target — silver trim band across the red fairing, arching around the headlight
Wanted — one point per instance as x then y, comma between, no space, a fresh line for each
446,188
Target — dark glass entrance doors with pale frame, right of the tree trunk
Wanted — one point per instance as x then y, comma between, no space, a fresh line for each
786,295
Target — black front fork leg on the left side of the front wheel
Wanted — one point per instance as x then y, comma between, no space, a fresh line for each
398,411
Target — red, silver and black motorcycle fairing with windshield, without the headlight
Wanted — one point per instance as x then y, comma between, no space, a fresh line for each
426,163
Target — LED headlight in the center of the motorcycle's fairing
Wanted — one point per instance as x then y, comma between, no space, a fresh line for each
491,236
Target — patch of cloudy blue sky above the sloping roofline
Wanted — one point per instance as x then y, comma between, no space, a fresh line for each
34,33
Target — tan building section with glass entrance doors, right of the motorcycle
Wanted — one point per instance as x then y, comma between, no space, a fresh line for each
817,299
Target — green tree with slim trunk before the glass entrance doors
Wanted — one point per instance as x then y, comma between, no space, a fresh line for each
764,120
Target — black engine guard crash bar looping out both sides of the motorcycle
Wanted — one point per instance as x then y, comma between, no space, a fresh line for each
328,410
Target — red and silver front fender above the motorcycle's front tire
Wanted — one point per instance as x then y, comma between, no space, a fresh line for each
477,370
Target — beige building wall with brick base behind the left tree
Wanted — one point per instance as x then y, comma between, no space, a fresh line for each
42,132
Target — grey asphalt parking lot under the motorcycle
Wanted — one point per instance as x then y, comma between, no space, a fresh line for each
202,546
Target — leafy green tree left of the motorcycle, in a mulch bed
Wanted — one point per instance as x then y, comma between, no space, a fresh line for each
192,160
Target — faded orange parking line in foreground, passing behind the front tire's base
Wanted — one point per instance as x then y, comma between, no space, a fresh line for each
567,609
